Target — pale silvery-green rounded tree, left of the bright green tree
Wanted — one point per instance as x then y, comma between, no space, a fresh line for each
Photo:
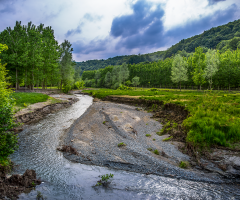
179,70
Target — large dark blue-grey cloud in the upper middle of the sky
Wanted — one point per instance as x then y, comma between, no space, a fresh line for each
141,28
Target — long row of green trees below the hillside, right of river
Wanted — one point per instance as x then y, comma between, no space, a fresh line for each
208,69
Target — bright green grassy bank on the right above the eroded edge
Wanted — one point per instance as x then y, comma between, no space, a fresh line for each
214,118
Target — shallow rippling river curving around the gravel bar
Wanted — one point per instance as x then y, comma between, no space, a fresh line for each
62,179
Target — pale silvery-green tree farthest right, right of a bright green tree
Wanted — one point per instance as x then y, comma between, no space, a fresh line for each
212,62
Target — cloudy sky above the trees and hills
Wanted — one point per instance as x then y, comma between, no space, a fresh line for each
99,29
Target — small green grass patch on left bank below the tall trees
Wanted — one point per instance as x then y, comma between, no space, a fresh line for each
24,99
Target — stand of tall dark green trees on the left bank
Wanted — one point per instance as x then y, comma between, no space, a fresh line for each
35,59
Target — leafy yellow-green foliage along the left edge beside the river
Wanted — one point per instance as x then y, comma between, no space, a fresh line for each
8,140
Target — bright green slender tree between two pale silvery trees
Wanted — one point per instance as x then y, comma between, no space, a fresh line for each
198,62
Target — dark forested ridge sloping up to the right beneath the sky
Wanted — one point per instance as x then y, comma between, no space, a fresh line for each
222,38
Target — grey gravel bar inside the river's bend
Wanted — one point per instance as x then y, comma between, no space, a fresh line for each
95,138
